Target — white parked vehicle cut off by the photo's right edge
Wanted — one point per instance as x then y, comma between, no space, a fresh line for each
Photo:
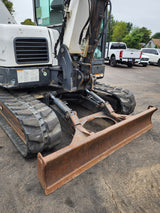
153,54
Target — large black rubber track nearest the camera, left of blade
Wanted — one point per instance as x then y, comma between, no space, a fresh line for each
40,124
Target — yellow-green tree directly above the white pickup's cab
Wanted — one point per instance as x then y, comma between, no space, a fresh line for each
120,31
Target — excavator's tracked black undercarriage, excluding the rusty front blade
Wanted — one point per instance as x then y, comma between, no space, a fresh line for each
36,117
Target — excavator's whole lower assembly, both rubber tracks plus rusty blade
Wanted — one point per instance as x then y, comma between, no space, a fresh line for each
82,126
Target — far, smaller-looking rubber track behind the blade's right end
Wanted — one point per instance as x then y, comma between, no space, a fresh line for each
125,98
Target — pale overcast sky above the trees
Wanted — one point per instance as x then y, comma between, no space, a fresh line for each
142,13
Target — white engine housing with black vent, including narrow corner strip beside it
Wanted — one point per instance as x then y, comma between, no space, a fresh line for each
8,36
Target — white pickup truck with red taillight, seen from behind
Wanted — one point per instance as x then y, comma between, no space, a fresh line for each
117,52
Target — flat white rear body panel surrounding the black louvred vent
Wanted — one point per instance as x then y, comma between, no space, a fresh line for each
7,37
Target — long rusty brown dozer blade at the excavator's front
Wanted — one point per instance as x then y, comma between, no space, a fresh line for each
60,167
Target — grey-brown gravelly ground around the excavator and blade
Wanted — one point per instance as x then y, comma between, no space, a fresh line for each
127,181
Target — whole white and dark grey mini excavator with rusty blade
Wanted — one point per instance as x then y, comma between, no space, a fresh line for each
51,101
